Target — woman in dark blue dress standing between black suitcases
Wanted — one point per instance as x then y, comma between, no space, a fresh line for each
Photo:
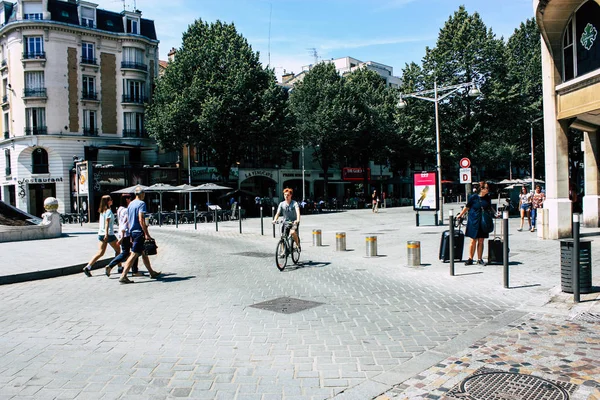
475,206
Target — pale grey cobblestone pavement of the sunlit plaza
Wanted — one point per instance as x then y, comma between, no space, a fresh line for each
382,329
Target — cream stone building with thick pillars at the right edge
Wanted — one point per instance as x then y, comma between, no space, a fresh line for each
571,84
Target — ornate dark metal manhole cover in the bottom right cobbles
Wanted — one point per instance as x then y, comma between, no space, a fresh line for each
492,384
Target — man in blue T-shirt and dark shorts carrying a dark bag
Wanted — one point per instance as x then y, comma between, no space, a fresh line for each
139,234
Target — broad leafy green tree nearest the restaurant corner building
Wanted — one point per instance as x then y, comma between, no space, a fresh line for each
215,94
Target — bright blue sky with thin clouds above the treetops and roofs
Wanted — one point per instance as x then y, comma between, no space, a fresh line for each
290,34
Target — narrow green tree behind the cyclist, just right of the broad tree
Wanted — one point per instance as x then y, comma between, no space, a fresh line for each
320,106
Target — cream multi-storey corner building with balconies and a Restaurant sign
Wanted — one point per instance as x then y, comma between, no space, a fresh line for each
74,81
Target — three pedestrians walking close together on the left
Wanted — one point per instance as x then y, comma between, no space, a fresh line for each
133,232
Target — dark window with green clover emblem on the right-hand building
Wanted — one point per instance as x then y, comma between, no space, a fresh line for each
581,50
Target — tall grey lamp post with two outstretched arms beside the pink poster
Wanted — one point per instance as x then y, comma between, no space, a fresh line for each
425,95
